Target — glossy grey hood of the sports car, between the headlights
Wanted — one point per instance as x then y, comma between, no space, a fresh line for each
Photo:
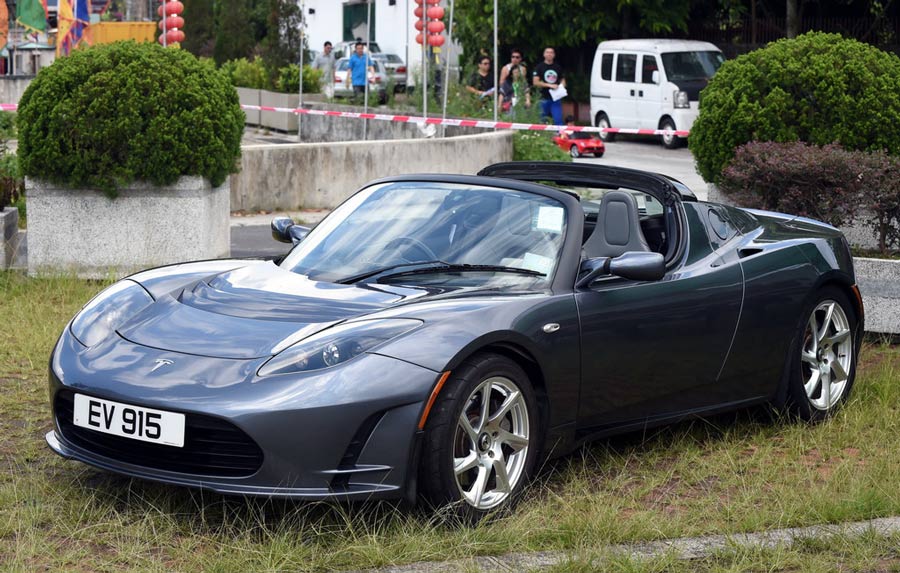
253,312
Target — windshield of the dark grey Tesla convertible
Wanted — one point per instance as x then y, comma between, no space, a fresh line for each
388,228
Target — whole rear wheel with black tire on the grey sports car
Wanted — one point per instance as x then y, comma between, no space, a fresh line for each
823,355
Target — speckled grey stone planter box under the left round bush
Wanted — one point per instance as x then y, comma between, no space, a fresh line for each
84,232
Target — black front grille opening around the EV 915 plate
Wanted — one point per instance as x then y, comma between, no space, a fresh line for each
212,447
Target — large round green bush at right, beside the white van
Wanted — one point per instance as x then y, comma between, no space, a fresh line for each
817,88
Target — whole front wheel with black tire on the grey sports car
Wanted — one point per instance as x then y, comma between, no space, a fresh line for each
508,445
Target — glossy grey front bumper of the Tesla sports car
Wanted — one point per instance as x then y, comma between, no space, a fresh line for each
347,432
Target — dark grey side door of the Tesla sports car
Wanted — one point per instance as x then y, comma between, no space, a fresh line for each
655,349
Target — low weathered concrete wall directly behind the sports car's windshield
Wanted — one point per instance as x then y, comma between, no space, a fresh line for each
323,175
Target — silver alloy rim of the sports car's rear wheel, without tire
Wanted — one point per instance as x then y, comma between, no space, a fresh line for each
827,355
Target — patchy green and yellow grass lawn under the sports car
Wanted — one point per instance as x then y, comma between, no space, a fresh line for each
733,473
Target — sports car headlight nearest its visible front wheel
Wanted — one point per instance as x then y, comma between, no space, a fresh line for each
336,345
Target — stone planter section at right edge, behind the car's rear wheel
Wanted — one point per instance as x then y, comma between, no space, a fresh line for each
879,283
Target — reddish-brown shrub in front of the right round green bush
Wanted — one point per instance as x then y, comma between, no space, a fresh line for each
827,183
